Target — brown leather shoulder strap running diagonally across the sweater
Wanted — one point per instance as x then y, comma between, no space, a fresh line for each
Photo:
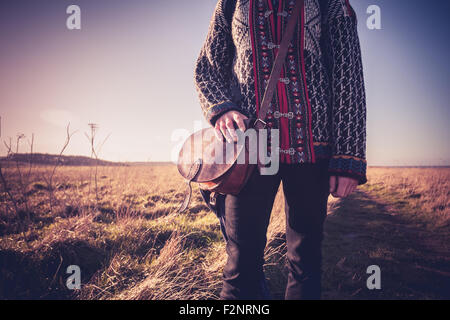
278,65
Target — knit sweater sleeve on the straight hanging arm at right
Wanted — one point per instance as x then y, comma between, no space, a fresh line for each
348,92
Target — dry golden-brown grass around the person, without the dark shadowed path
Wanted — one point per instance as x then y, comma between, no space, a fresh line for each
130,244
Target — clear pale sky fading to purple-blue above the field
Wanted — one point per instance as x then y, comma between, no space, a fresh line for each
130,70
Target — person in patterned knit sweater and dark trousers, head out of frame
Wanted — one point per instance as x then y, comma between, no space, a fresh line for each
319,109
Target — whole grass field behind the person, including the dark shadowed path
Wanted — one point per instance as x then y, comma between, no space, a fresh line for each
119,225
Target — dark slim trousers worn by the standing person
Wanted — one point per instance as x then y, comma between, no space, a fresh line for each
246,218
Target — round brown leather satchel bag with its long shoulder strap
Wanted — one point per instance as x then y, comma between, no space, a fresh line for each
197,160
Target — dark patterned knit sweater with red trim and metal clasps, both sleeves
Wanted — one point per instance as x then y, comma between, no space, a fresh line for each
319,105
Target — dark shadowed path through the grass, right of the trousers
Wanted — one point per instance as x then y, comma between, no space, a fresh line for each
366,230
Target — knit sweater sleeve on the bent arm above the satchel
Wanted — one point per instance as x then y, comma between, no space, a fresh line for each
213,68
